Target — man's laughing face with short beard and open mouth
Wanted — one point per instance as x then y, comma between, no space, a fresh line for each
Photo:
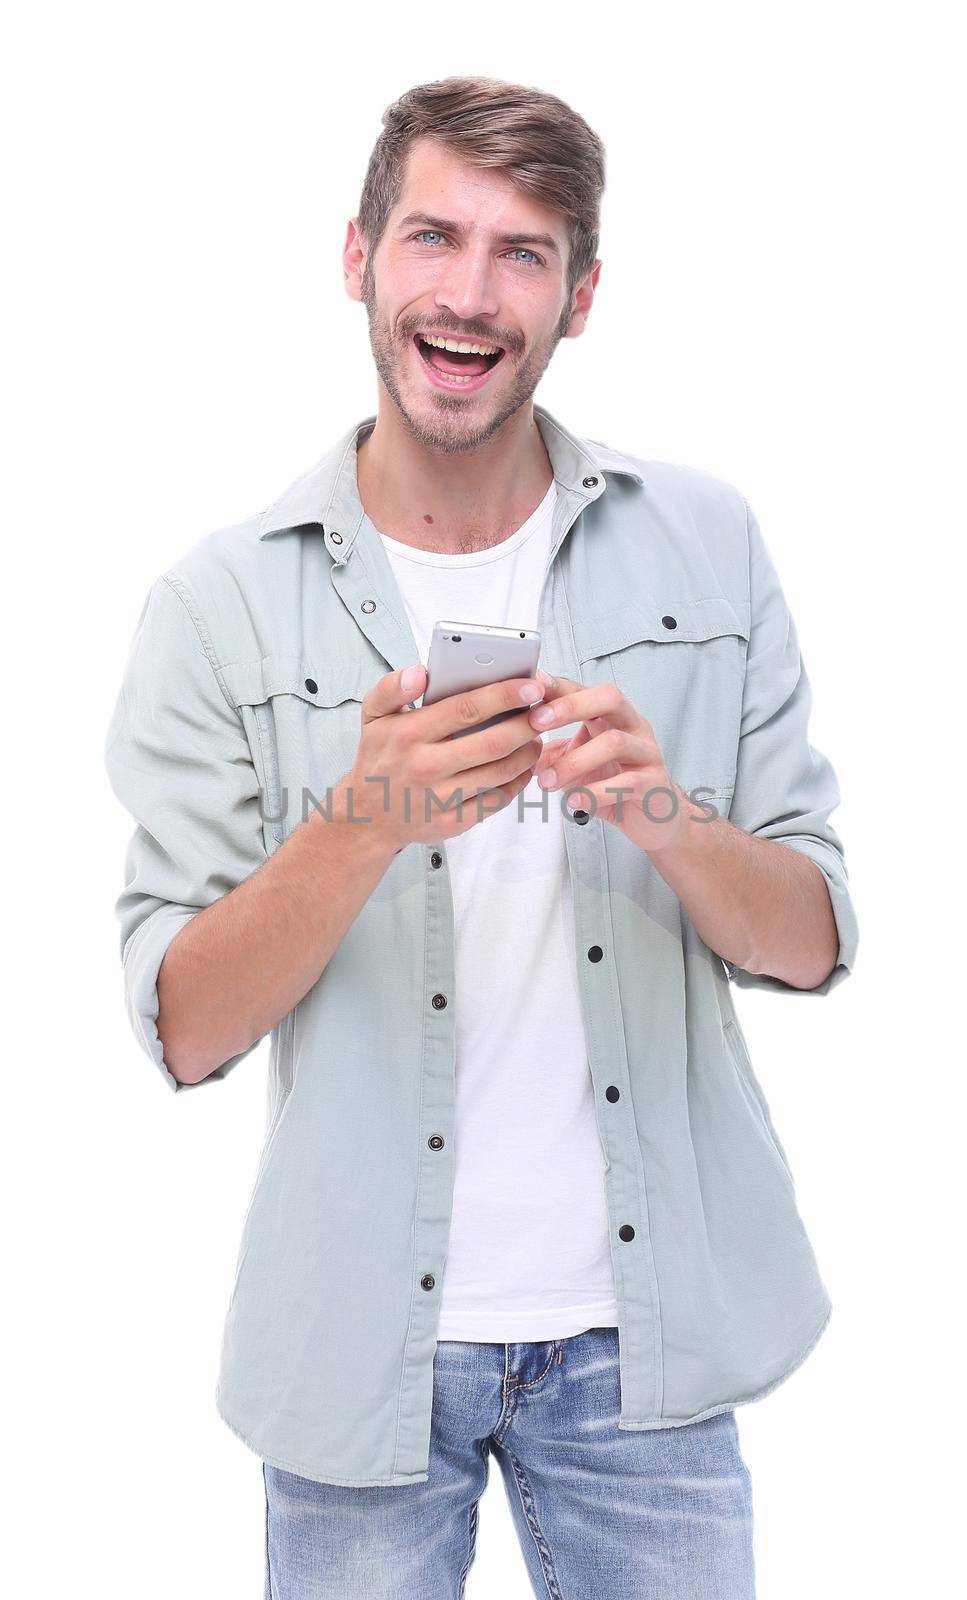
468,284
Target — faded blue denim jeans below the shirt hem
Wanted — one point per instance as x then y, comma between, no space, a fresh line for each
603,1514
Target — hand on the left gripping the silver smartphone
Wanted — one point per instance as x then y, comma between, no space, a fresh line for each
414,783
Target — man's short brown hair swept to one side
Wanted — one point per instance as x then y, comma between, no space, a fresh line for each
536,138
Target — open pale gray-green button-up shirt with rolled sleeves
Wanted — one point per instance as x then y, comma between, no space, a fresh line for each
239,708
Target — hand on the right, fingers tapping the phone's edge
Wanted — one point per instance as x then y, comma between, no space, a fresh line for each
614,762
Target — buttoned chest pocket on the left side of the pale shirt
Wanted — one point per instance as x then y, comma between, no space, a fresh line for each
303,724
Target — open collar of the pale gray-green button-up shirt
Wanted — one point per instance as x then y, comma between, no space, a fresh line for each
327,495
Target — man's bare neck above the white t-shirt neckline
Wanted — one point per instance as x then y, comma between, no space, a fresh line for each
452,503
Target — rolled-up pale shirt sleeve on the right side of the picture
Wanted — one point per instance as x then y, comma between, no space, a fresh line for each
785,790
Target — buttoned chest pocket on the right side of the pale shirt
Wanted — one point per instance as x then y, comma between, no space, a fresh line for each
683,666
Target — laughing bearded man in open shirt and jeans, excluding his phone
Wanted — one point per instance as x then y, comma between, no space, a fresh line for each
520,1193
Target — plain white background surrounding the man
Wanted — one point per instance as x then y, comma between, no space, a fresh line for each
780,305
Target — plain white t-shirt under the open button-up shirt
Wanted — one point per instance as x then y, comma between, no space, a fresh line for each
529,1239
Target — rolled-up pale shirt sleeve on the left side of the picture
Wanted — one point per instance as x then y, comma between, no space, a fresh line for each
179,761
